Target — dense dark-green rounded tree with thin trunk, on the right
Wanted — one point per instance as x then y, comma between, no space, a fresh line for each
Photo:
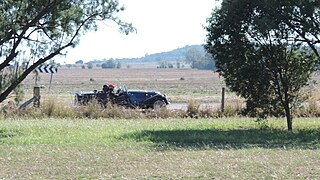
266,50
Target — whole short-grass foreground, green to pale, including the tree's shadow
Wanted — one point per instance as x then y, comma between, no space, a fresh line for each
158,148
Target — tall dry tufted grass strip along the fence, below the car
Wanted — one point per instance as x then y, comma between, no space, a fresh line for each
53,108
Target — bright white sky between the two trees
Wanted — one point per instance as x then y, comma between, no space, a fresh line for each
162,25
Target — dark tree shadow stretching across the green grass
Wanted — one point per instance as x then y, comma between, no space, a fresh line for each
229,139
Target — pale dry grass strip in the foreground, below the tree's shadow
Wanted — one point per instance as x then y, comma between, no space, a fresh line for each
70,162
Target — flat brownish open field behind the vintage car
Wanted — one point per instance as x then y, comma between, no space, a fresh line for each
180,85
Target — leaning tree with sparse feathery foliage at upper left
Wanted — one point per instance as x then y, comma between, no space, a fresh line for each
34,31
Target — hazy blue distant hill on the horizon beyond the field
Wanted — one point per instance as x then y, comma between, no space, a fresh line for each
170,56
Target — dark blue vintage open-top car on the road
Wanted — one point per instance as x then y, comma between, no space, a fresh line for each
129,98
